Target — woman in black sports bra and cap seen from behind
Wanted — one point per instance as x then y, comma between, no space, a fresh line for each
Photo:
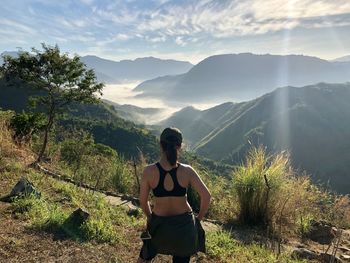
171,225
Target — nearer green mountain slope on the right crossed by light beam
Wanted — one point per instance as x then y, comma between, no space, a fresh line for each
311,122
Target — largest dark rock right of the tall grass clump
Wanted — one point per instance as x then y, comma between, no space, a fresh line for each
322,232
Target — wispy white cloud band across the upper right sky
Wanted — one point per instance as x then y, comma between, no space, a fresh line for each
233,18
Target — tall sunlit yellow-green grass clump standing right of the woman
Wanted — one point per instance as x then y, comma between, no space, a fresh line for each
269,192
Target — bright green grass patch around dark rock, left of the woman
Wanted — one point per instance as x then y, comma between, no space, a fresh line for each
49,215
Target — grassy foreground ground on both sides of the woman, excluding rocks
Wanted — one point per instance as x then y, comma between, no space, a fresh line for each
34,236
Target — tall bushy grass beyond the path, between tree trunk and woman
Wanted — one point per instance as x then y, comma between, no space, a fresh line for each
97,165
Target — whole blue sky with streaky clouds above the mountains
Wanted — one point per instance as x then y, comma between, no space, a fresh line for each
183,29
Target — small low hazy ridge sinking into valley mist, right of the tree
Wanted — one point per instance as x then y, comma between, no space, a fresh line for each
137,114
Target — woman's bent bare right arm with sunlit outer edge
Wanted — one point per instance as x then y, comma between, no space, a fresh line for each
198,185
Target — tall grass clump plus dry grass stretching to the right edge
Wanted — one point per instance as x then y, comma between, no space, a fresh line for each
292,200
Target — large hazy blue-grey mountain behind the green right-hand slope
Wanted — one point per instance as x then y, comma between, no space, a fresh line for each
239,77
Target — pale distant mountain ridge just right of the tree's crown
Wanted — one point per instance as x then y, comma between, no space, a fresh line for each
111,71
